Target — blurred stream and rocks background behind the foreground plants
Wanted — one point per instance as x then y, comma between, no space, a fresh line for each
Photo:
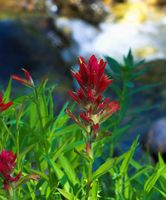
47,37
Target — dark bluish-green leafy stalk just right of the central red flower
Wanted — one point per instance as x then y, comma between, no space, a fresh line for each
126,86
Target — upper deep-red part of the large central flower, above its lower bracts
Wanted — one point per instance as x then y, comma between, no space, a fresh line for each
92,81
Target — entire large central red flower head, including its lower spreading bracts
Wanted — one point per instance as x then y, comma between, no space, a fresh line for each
93,82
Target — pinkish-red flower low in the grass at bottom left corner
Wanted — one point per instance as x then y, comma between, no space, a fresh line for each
7,164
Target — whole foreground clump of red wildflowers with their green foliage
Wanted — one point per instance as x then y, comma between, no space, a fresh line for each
36,142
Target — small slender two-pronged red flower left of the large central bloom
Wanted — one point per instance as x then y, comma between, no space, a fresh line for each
28,81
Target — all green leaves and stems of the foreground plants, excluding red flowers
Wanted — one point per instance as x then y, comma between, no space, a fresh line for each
51,150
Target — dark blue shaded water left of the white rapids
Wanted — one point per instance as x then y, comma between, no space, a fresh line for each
24,46
